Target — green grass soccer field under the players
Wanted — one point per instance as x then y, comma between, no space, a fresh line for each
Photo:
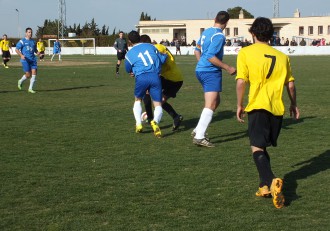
70,158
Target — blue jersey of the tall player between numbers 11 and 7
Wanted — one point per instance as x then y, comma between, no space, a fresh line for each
210,44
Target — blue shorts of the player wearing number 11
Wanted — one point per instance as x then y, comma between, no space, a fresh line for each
150,82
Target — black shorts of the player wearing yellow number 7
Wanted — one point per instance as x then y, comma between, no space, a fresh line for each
264,128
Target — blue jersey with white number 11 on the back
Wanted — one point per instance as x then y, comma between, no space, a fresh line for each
144,58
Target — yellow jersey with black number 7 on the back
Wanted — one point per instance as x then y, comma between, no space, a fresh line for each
266,70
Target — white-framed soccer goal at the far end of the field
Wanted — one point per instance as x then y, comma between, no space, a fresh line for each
74,46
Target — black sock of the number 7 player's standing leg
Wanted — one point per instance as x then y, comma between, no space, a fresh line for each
264,169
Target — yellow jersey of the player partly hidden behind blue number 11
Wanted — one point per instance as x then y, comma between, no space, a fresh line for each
170,70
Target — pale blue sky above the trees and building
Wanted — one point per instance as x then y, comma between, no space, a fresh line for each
125,14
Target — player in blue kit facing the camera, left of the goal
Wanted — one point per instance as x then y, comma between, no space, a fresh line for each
26,49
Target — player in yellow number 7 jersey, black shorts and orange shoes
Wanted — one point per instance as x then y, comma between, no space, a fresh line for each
267,71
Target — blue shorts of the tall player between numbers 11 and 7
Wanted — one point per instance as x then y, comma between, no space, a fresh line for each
211,81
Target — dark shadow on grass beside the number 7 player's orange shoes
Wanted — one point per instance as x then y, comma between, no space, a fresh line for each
310,167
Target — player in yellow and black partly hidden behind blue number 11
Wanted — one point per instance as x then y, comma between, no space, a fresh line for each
172,80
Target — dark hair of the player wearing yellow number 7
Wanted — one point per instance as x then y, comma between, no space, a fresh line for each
262,28
